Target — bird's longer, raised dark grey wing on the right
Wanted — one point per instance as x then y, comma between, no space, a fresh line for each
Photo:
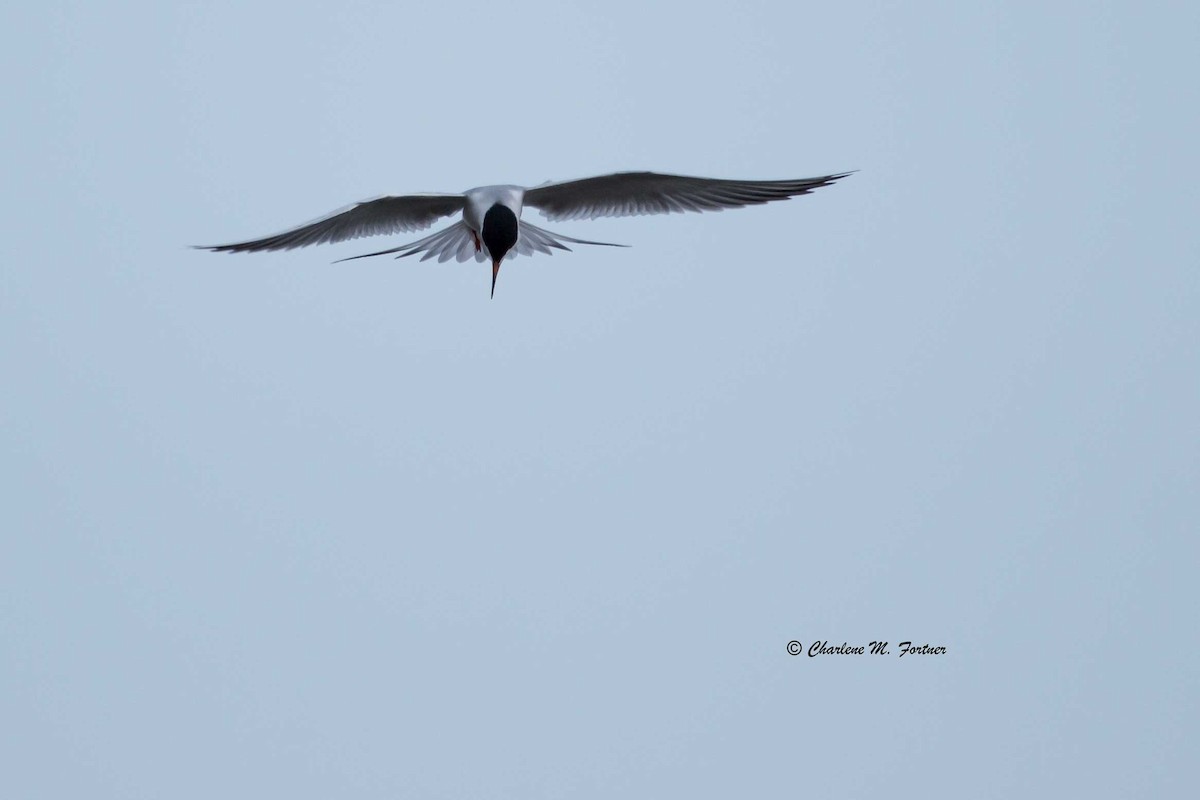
625,195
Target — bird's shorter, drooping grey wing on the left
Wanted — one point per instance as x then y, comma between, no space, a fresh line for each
385,215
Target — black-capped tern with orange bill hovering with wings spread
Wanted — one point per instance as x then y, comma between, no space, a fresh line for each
491,227
